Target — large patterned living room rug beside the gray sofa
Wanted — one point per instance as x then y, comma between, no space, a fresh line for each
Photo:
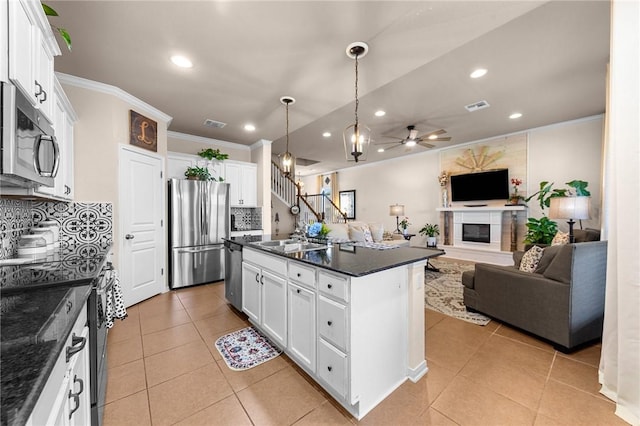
443,291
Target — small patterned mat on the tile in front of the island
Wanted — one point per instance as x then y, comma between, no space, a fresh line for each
246,348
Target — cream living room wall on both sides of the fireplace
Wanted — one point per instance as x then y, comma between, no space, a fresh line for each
558,153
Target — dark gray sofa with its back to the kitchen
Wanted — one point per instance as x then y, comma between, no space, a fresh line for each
562,301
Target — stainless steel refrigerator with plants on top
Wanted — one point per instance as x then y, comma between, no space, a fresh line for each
198,222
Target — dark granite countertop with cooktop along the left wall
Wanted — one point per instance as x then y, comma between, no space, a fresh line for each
35,321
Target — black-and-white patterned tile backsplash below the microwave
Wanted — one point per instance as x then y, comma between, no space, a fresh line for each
80,223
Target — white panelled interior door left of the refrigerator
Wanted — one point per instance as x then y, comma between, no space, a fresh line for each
142,252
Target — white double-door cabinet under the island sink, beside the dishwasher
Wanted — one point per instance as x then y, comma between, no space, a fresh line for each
264,293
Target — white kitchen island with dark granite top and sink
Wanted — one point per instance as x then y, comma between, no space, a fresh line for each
351,317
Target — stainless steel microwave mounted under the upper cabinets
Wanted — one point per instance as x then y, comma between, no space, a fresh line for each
30,154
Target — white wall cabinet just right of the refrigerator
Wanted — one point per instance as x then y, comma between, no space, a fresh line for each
243,183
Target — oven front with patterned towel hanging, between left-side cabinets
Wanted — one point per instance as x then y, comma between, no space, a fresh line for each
97,318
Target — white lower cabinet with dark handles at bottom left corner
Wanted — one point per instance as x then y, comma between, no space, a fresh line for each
65,399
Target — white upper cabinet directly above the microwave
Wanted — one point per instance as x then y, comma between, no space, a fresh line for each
32,48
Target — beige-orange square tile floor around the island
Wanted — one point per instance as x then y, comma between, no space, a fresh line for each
164,370
